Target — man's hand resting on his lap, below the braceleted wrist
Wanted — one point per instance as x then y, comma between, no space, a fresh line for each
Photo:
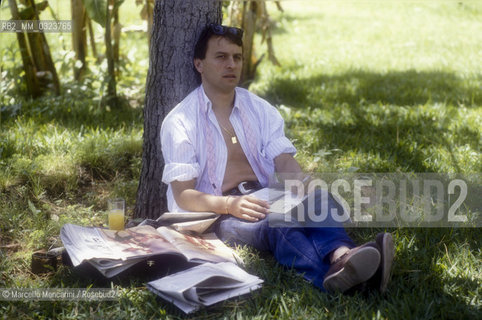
247,208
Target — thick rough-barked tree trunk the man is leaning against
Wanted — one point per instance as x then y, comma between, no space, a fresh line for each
176,27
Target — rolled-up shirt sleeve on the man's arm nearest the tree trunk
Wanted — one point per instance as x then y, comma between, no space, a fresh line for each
178,150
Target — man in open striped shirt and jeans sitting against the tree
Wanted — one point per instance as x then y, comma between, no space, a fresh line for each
222,142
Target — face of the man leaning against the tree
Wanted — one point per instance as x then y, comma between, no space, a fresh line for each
221,68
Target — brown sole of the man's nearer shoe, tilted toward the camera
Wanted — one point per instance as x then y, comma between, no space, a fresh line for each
355,271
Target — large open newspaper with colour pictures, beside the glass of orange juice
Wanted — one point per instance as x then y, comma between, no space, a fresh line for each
112,252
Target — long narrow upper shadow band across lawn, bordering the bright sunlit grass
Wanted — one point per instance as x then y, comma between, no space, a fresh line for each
403,88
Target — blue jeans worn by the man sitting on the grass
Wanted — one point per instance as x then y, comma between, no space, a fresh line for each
306,249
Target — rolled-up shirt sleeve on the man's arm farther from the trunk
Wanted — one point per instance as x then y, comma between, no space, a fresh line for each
276,142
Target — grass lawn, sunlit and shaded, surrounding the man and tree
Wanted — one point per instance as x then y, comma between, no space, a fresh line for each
364,86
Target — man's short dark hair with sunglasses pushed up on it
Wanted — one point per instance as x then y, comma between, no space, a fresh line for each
234,35
